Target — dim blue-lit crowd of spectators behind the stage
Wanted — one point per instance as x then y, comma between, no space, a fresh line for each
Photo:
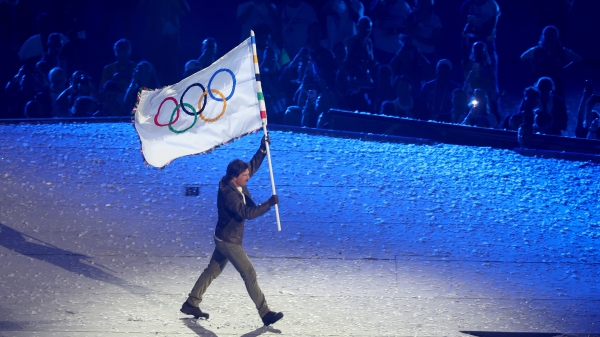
376,56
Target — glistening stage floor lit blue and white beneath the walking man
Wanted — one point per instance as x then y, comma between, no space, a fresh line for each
378,239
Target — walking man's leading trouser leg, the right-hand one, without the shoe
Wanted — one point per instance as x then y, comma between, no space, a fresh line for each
236,254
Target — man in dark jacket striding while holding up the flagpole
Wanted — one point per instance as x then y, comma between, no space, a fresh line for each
234,204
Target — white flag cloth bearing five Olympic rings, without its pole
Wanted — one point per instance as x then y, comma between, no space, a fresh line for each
203,111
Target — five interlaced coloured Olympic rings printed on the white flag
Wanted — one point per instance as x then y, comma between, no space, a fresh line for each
201,105
